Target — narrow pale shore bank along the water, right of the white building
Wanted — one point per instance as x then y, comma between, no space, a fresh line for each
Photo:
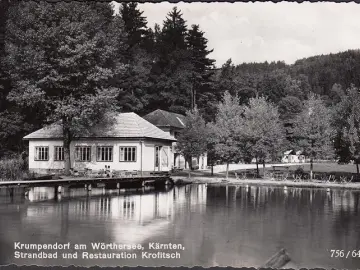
216,181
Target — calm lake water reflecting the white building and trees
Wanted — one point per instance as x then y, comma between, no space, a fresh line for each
216,225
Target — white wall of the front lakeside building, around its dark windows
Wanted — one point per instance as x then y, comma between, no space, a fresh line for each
147,158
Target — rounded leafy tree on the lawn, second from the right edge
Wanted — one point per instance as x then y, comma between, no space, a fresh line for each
313,130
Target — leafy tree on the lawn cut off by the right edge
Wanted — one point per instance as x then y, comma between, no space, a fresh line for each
347,123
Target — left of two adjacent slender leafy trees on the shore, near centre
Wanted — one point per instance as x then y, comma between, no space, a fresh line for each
227,130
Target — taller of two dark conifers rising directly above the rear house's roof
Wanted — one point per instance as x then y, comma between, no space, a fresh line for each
173,69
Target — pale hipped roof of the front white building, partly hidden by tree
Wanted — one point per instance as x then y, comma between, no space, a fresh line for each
125,125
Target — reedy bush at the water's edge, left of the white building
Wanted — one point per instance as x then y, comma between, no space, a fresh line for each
12,168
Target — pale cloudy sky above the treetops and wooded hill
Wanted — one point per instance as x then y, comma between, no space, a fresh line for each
258,32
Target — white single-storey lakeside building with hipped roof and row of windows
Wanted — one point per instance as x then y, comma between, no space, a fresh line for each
128,143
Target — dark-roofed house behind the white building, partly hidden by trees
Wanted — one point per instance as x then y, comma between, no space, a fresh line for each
173,124
